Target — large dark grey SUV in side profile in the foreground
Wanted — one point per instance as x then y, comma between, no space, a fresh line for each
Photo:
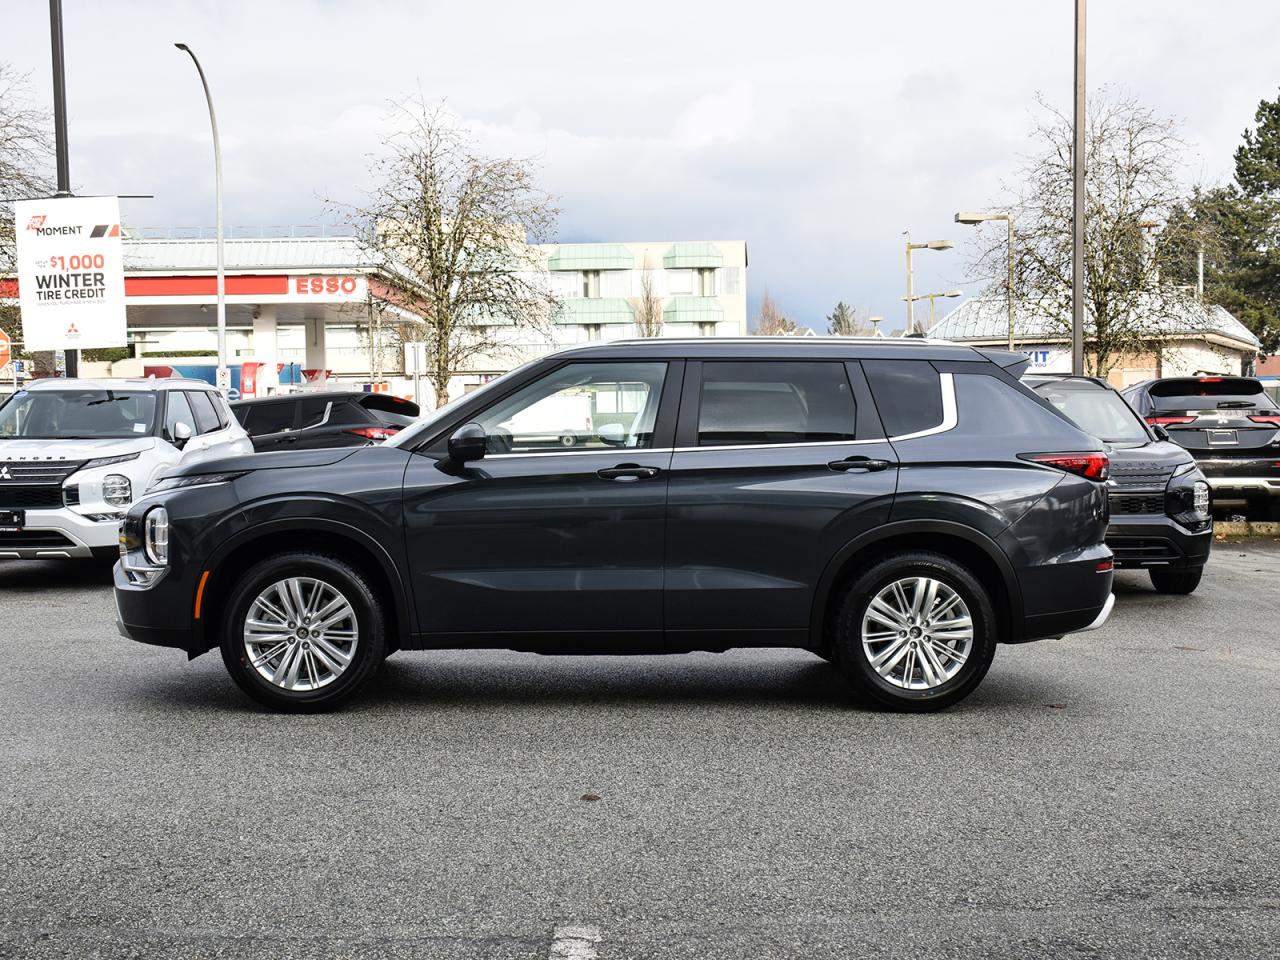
898,508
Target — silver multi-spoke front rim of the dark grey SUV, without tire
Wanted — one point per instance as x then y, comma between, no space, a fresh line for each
301,634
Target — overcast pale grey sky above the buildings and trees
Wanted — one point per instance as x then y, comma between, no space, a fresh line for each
817,132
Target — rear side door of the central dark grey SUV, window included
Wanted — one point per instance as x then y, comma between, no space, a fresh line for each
779,464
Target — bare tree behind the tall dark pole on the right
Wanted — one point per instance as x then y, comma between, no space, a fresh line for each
1132,186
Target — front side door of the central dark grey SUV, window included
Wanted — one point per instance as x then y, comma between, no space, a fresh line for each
557,534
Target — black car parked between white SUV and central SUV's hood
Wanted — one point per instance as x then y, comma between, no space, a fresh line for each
332,419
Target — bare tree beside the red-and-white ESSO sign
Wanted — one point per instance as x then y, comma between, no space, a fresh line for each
452,234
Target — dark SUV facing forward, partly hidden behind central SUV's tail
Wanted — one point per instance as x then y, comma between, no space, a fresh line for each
1162,516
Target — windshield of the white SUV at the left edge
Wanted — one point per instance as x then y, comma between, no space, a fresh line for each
80,415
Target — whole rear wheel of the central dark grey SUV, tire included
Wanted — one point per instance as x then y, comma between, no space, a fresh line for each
916,632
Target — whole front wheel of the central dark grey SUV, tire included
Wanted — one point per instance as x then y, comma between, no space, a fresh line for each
303,633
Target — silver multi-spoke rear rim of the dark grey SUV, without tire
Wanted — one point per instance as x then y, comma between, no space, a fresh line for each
917,633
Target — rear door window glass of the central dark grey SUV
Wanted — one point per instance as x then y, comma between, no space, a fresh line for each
775,401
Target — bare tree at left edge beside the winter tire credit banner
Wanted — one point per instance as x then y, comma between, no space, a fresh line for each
26,152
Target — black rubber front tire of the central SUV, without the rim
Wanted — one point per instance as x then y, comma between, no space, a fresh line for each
369,651
